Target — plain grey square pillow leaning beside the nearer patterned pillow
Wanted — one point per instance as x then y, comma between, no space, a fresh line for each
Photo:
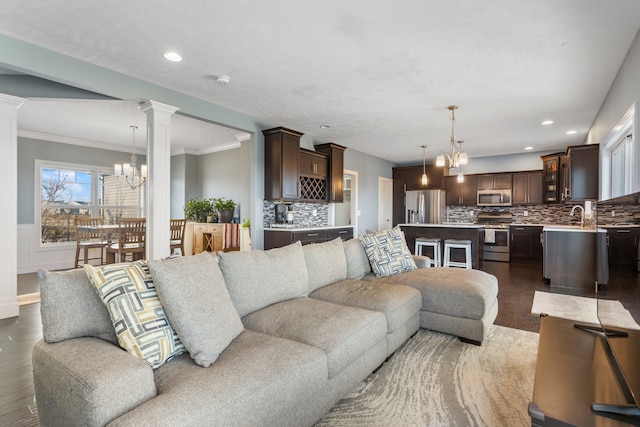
196,300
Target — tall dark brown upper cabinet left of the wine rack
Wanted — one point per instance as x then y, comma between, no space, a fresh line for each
281,161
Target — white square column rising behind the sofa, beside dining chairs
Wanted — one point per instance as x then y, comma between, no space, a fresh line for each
158,191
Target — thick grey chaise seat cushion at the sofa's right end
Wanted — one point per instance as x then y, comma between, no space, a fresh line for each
452,291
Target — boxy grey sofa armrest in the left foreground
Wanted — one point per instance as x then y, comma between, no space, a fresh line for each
88,381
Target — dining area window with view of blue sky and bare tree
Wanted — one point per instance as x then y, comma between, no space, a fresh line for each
74,191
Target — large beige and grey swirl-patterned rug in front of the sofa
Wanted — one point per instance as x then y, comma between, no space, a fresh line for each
436,380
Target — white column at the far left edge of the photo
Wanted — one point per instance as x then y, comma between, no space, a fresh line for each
9,213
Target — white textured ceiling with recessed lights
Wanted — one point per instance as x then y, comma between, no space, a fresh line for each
380,73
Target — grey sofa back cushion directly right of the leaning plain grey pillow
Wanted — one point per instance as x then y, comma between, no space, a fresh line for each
256,279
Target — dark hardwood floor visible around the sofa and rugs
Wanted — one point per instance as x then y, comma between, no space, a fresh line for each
518,282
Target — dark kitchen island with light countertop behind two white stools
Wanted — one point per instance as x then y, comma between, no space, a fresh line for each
459,231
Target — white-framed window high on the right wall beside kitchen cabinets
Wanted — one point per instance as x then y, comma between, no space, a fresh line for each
619,166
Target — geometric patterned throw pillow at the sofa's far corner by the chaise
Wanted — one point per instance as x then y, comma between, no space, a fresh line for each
388,252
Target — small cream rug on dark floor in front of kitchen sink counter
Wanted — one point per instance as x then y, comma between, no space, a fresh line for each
583,309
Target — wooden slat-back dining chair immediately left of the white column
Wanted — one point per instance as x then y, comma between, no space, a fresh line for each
131,240
